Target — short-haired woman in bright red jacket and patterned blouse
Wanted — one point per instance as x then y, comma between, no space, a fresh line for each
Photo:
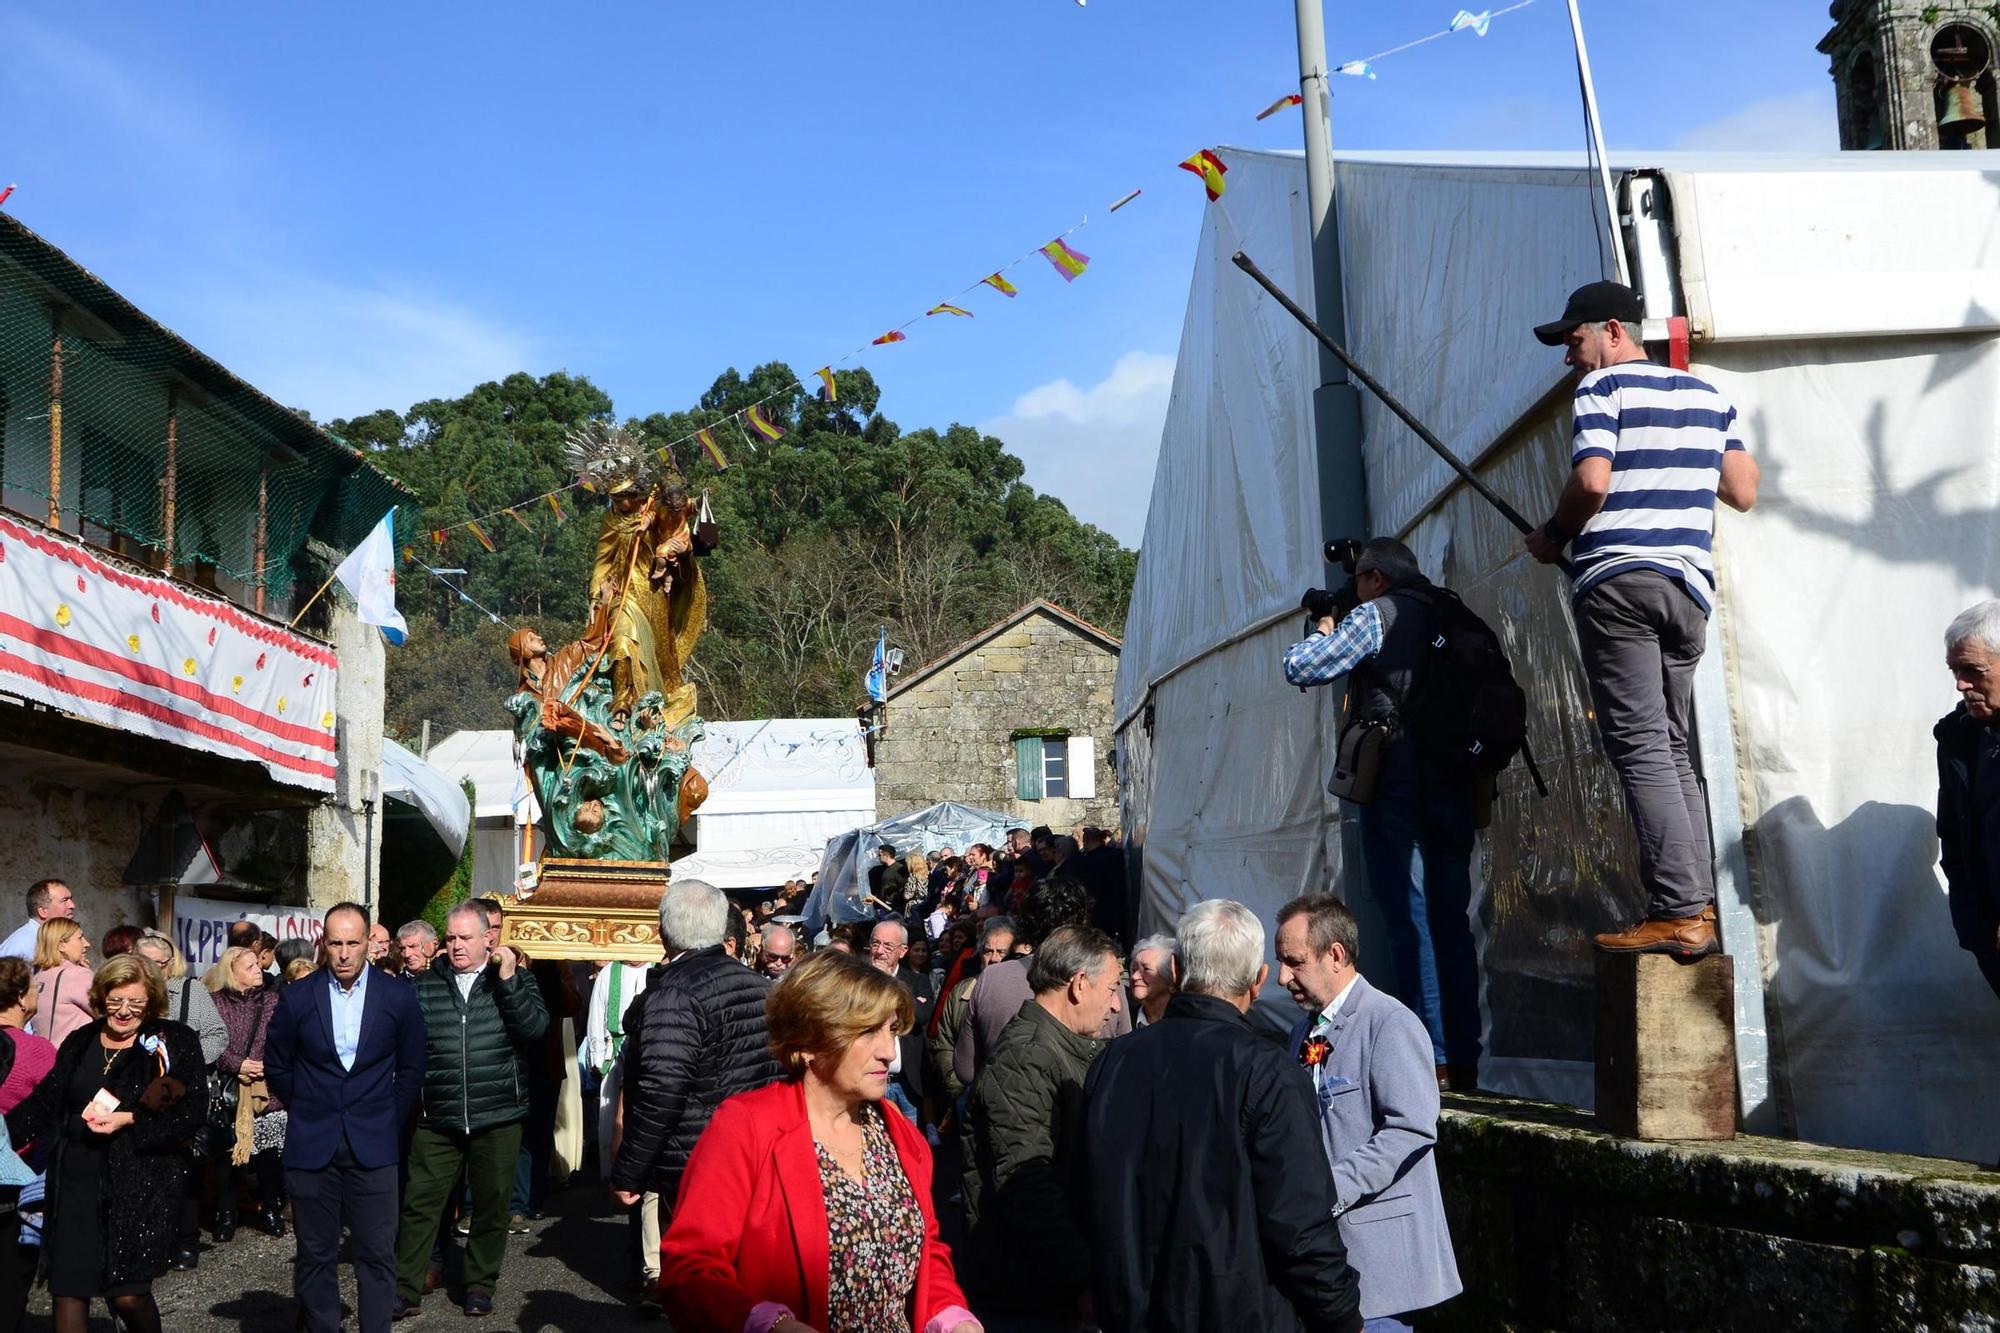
795,1174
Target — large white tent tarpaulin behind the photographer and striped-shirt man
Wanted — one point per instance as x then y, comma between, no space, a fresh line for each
1869,379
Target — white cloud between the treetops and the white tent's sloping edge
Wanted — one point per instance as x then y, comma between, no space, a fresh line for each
1095,447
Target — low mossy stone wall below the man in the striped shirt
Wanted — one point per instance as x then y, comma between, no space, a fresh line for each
1561,1226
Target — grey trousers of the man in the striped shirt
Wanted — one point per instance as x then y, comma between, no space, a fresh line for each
1643,637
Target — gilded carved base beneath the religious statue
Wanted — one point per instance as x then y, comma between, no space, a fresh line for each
589,910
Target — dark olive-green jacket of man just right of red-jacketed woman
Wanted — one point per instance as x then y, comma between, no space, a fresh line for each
1021,1130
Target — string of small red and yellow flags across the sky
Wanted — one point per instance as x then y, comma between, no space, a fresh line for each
759,421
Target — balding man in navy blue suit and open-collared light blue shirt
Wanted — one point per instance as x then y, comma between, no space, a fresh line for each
347,1058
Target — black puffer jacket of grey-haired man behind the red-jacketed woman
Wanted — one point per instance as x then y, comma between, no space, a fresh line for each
693,1040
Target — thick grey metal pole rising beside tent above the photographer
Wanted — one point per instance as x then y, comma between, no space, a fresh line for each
1337,407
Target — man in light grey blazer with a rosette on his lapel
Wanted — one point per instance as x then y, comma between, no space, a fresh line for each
1377,1084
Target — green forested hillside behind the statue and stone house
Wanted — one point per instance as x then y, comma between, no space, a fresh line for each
845,525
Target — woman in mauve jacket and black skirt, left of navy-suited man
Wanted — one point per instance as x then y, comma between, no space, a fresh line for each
247,1006
